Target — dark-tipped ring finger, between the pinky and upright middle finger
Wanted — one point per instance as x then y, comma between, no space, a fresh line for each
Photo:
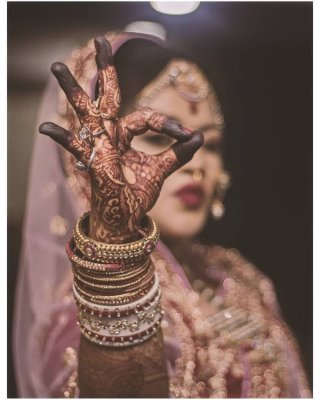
77,97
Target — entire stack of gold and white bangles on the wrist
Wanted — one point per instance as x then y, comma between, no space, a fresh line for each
115,286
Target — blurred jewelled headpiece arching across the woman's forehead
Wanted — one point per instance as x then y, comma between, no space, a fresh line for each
188,81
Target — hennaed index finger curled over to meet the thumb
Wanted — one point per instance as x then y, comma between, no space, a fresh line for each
145,119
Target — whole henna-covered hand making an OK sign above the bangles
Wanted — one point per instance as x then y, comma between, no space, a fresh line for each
125,183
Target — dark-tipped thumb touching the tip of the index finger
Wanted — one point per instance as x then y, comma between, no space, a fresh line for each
180,153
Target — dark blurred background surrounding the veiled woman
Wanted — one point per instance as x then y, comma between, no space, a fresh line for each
259,56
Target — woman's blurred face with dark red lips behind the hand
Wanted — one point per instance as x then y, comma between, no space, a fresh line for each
186,196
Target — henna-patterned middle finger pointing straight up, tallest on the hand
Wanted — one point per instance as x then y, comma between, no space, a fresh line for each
109,92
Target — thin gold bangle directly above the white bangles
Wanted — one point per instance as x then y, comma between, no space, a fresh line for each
117,299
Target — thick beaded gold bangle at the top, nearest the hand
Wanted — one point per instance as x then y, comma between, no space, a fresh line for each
115,253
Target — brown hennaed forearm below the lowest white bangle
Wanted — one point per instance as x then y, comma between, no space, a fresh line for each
137,371
